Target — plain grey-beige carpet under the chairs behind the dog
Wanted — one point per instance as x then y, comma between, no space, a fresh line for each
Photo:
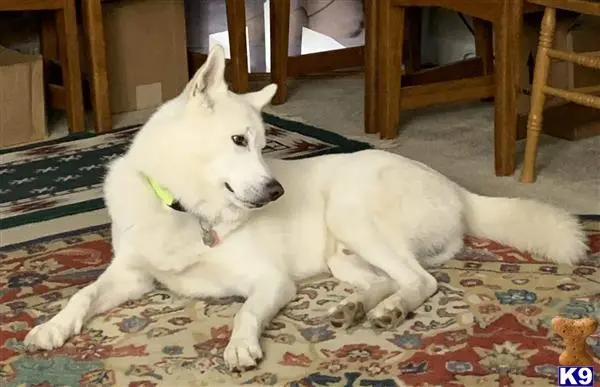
456,140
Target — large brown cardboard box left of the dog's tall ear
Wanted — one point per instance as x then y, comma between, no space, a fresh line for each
145,52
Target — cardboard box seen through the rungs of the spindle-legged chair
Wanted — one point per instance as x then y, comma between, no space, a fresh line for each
578,34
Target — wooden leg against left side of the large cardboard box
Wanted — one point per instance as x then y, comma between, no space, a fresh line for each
94,31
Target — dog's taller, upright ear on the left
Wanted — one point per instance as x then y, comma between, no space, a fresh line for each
210,77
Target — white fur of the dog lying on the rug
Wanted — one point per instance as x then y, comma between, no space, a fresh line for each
372,218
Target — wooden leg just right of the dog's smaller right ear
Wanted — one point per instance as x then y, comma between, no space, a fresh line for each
280,36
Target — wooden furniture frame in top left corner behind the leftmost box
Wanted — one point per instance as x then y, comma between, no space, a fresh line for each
59,41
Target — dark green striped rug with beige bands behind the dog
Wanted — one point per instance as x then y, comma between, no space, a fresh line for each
40,185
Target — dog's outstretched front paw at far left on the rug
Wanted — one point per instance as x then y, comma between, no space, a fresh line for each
51,334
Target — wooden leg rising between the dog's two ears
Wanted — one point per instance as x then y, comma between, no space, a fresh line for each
236,26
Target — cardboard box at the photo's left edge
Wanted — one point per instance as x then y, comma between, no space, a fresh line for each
22,113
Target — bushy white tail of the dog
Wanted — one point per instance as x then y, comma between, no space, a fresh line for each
527,225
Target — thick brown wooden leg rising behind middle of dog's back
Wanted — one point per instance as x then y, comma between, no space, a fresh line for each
389,52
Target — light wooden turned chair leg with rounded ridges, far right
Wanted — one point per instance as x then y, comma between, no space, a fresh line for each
540,78
